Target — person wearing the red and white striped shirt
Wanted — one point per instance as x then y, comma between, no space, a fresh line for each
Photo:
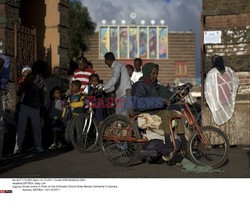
83,72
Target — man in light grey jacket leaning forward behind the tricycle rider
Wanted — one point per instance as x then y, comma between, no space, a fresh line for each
120,82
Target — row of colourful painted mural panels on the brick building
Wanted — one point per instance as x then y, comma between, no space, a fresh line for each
128,42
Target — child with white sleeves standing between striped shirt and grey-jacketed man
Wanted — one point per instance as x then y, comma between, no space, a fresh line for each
95,88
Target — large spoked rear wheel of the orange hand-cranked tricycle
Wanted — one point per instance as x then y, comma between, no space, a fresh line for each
122,153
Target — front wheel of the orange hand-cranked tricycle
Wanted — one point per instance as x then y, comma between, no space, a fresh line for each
215,153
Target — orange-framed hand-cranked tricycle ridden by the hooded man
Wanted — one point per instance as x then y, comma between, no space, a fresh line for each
121,141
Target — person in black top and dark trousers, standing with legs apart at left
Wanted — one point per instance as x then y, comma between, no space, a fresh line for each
31,100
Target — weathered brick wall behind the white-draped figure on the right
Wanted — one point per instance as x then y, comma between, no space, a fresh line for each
232,18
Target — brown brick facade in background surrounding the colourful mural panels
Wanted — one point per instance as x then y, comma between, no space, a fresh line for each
181,54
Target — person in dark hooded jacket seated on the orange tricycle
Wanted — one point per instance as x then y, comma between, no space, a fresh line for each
151,97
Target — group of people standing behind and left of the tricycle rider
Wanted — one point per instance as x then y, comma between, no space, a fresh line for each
51,105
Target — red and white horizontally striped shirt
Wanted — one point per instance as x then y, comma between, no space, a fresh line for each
83,76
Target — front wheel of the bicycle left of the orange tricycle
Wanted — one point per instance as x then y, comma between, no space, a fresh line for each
84,133
